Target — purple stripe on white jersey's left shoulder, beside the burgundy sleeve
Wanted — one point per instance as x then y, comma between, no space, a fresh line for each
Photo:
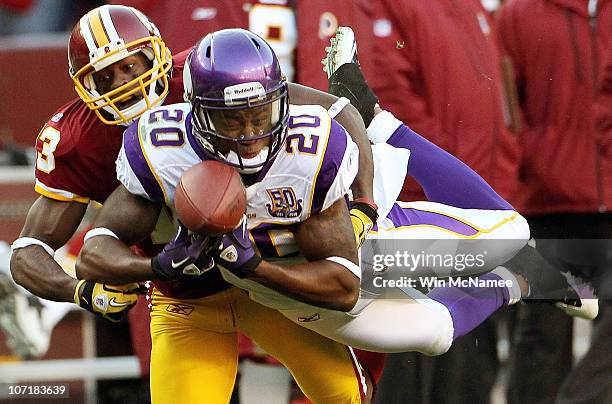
139,165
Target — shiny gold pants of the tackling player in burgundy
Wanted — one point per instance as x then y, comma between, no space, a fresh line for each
195,350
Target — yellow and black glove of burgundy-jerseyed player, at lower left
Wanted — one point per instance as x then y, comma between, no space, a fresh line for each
109,301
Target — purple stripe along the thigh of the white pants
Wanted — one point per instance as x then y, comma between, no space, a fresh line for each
412,217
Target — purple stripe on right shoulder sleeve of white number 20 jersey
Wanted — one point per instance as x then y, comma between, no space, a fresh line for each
332,159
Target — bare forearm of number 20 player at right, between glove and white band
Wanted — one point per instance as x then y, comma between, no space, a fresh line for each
320,283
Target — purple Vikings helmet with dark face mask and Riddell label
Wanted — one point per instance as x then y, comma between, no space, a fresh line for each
229,74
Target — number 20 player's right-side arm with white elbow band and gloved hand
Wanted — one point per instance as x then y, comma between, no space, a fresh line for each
330,279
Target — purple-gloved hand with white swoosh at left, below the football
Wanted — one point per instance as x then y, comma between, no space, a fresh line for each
185,256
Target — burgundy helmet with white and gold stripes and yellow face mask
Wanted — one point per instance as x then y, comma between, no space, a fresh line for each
106,35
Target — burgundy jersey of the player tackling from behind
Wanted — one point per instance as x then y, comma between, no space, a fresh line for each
76,152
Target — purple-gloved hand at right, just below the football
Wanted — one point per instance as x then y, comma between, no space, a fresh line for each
236,253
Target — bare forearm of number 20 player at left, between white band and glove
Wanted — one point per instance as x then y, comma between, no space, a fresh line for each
106,259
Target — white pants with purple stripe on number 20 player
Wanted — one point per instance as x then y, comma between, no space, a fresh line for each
412,322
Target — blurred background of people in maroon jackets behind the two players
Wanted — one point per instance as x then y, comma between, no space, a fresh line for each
520,90
